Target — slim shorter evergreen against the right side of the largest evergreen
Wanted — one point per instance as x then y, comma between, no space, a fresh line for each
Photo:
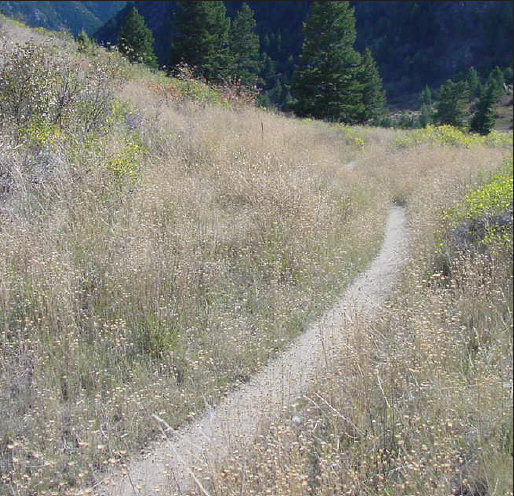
373,96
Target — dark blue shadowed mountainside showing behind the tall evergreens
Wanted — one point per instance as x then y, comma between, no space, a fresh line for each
414,43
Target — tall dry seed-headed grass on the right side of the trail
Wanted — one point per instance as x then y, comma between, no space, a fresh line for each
418,401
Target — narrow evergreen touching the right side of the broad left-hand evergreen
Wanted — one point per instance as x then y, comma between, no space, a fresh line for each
244,47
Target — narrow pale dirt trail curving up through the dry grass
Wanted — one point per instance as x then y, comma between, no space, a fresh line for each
236,421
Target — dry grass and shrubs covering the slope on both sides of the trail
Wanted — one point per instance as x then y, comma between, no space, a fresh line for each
161,240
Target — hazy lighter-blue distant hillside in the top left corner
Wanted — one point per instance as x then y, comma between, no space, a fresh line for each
62,15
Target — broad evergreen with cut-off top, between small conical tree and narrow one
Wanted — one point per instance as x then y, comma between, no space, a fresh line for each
201,39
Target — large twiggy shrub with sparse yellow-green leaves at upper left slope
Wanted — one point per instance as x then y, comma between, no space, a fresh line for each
43,96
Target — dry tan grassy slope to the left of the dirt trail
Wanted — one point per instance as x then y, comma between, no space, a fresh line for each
160,241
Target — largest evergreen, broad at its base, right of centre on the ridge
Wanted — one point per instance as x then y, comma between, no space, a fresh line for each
326,82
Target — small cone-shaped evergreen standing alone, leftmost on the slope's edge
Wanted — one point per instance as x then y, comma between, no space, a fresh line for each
136,41
